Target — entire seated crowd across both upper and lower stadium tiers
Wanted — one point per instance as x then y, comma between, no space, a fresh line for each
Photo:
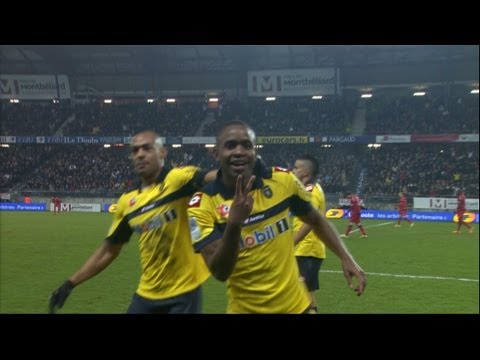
424,169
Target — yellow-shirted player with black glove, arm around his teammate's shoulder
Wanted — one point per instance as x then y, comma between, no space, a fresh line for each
172,274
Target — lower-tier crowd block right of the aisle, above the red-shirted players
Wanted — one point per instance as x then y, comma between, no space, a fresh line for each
428,169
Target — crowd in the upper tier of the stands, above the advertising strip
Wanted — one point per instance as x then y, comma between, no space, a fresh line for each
285,116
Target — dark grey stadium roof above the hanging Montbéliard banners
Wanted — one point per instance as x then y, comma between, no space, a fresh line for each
144,59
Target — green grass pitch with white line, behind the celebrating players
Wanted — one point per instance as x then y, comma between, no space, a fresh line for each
421,270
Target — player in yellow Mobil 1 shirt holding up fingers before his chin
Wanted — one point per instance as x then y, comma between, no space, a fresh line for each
241,225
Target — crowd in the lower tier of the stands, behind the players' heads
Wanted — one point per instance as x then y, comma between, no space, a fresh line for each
421,169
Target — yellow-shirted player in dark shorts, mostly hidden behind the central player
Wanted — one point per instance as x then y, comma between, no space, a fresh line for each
309,249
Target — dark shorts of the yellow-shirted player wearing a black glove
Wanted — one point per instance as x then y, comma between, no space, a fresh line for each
188,303
